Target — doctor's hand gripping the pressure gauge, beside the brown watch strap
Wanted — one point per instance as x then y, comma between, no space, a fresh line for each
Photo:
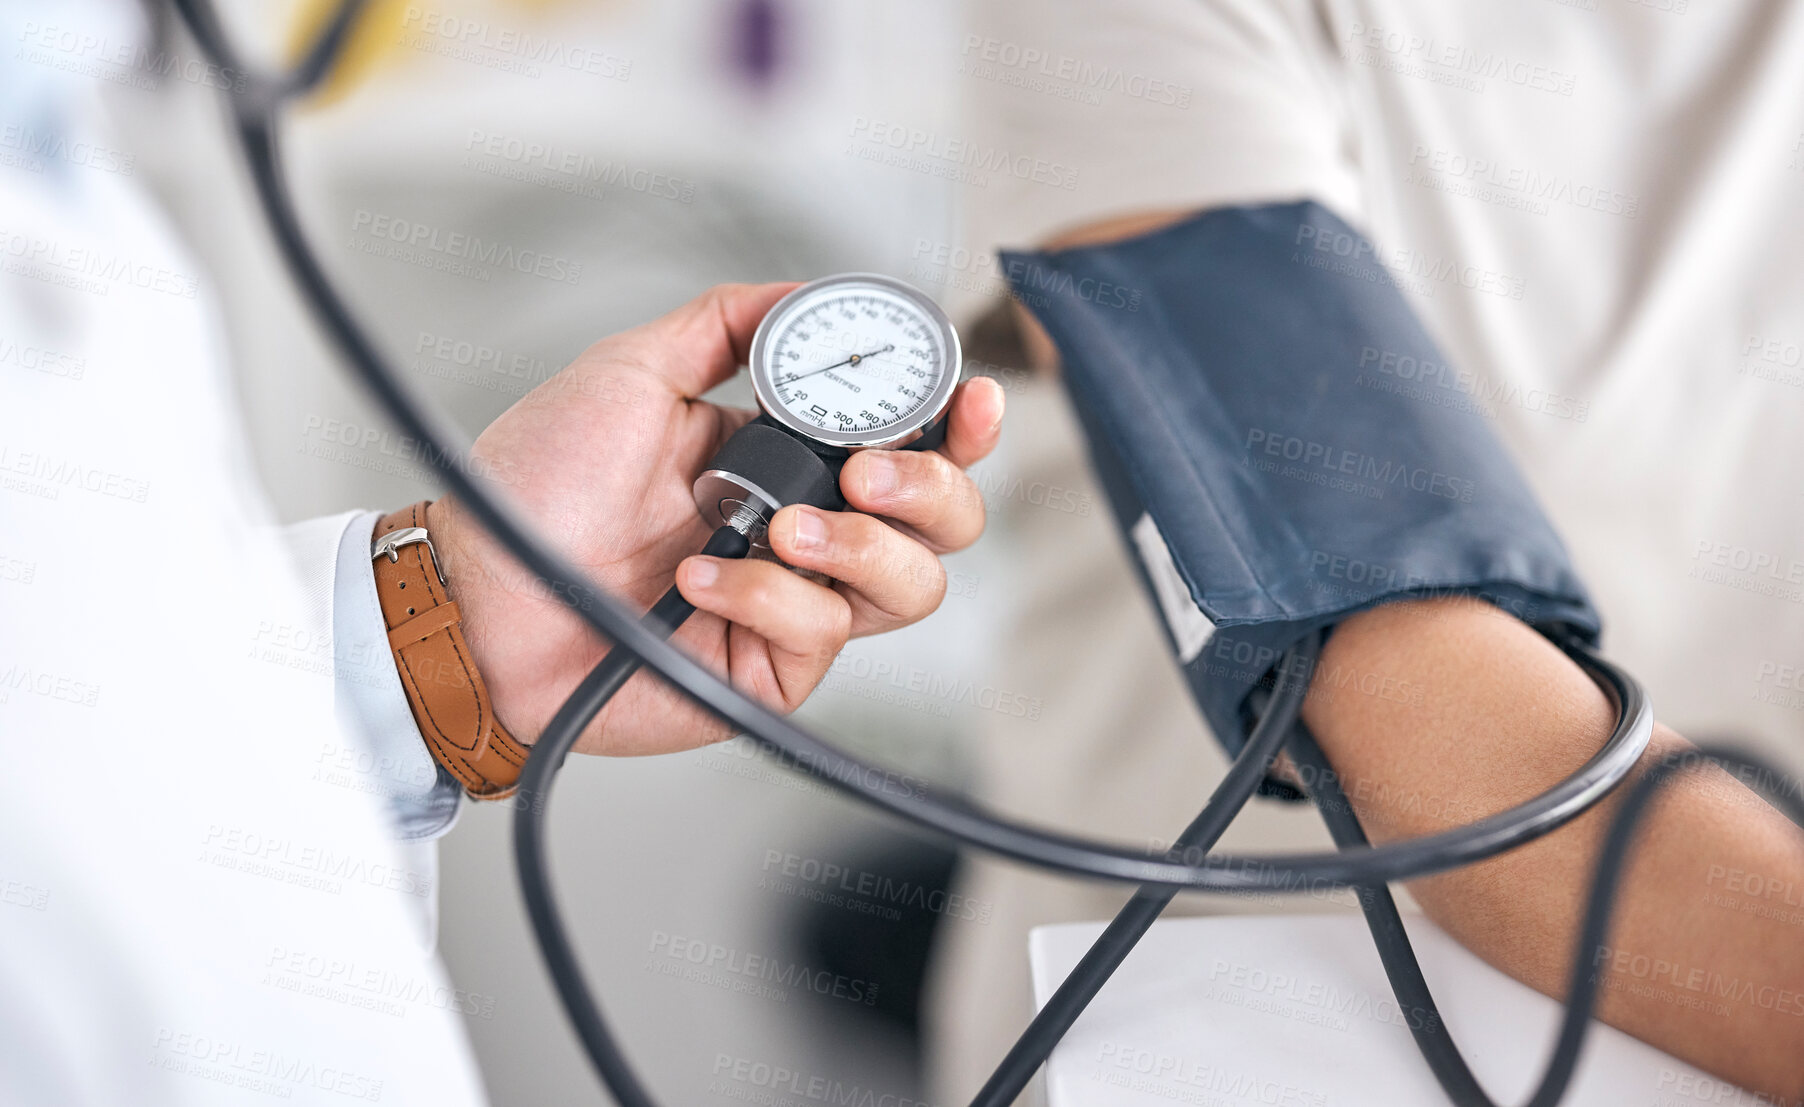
602,459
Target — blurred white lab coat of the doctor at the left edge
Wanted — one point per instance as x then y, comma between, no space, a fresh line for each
201,897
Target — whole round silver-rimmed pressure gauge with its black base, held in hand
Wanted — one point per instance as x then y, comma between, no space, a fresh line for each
845,363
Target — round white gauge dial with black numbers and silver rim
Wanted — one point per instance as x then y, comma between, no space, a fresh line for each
856,361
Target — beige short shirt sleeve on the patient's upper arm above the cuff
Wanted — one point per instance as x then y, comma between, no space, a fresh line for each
1148,105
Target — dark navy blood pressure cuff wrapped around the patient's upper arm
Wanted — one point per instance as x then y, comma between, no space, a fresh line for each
1284,444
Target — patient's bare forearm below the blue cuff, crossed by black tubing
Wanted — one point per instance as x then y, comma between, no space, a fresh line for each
1475,713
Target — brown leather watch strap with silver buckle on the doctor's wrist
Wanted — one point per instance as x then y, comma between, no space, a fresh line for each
446,693
